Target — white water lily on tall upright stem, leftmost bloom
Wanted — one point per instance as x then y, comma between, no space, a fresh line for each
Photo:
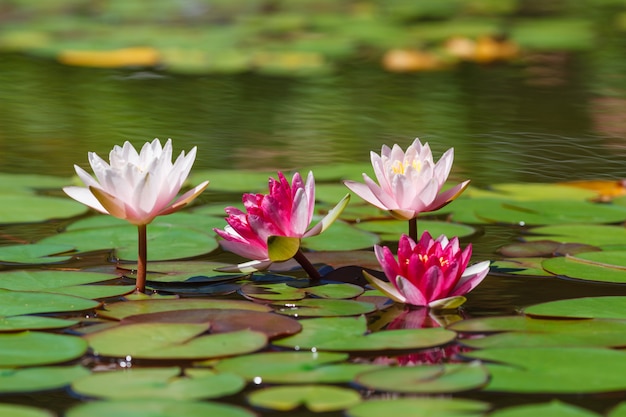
137,186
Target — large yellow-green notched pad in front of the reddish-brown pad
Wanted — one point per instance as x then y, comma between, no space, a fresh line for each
172,341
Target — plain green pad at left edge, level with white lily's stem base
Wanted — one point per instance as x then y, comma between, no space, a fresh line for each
14,303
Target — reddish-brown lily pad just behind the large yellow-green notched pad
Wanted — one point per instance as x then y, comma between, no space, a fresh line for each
225,320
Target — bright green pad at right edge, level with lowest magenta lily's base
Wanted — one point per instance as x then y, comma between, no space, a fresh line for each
606,307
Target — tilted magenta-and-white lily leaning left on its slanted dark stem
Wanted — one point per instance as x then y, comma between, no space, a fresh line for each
271,227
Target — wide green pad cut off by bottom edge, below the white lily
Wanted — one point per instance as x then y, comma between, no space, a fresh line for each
156,407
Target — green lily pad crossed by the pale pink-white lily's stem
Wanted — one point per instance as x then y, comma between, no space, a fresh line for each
391,230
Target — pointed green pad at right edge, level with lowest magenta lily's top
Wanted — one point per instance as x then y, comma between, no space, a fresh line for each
605,266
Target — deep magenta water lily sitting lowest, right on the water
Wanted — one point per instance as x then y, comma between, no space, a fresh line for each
429,273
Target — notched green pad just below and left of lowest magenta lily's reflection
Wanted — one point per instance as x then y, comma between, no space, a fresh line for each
347,334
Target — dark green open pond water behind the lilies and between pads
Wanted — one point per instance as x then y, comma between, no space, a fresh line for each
548,118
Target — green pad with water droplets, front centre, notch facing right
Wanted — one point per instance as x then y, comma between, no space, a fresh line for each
294,367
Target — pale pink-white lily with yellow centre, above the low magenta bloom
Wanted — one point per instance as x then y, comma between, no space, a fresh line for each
409,182
